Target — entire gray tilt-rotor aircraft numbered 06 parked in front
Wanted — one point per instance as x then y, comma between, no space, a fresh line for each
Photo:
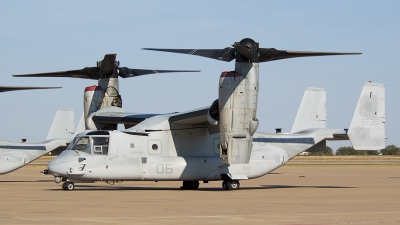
214,143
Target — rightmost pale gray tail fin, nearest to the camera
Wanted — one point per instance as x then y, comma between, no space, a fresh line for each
367,128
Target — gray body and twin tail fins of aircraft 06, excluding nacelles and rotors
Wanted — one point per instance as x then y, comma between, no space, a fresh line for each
186,147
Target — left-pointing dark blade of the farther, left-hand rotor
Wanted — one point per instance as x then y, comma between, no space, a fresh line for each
85,73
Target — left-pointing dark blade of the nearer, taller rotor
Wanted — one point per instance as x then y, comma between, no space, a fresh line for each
226,54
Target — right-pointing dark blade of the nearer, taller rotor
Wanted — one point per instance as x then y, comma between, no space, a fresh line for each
270,54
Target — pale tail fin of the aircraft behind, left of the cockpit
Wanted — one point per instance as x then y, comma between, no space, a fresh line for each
63,125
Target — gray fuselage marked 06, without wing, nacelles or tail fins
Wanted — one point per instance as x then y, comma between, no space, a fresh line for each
188,154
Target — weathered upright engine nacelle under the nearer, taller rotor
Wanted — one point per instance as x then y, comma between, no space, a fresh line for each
237,117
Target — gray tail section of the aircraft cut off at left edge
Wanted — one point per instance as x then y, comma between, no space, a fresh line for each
14,155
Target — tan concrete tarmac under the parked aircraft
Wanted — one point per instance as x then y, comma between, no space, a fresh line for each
290,196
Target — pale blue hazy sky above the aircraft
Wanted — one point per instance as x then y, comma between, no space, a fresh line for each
46,36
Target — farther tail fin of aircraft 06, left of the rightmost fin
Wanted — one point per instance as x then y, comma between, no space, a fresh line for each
312,110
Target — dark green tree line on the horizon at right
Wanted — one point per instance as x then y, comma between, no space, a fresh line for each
389,150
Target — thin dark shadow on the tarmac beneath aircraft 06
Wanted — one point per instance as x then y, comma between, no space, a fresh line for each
125,188
